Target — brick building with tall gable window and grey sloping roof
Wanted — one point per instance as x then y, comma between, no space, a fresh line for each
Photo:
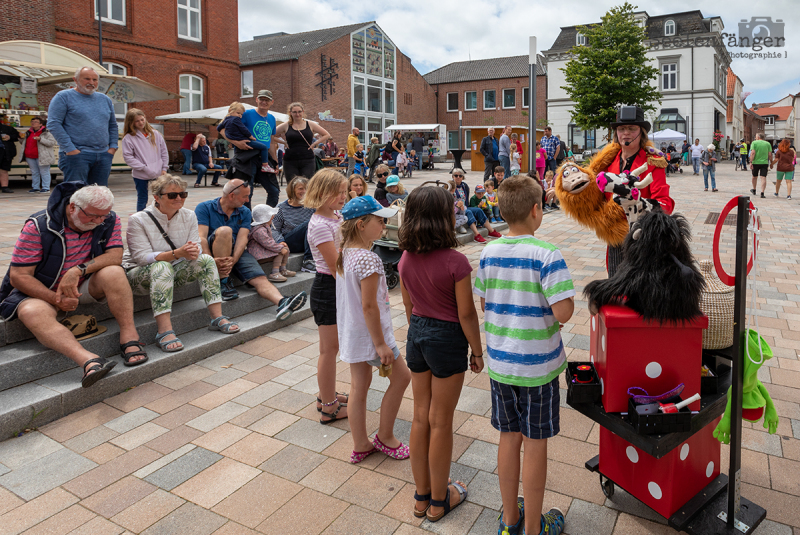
349,76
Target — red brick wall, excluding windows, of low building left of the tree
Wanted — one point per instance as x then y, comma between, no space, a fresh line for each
498,117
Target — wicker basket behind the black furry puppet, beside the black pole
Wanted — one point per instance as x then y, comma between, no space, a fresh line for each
716,302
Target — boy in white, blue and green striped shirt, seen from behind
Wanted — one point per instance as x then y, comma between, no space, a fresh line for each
526,293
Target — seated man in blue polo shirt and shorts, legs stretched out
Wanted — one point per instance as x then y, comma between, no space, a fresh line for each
224,226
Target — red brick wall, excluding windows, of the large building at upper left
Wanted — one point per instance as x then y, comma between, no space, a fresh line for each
148,45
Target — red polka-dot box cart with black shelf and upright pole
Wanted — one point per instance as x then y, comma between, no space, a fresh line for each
676,474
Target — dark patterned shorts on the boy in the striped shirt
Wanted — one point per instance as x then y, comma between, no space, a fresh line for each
530,410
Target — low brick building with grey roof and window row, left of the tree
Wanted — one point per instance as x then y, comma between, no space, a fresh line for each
489,92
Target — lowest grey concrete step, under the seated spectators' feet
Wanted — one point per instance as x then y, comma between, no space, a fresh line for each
55,396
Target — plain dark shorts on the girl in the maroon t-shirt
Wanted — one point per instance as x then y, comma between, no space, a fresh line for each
438,346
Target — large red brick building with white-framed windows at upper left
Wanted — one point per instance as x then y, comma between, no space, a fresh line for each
183,46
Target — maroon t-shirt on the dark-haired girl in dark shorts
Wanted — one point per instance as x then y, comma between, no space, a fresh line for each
430,279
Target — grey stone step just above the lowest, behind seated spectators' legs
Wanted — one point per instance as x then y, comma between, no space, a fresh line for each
29,360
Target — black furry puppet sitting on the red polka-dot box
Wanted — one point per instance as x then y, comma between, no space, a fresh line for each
658,277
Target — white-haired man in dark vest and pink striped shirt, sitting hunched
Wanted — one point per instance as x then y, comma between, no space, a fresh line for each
68,255
